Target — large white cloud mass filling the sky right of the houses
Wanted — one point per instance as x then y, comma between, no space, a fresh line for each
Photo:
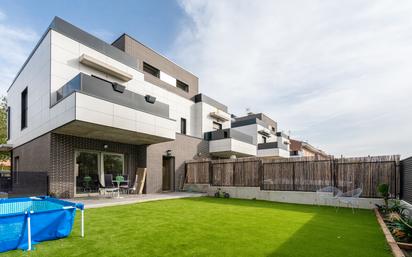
334,73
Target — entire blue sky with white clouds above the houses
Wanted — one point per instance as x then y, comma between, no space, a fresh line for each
336,74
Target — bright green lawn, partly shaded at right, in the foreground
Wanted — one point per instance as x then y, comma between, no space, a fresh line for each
220,227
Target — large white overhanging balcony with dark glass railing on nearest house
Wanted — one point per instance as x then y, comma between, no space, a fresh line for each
106,110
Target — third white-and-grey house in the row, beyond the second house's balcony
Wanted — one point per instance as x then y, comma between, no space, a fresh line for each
263,130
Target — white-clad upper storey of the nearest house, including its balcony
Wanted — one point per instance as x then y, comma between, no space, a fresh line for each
74,83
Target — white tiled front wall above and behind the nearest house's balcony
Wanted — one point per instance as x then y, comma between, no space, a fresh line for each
65,65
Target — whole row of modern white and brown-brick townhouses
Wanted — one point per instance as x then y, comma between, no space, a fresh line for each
80,107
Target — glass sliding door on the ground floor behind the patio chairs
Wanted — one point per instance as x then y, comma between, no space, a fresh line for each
90,168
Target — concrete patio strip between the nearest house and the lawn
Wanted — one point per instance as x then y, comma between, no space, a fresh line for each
104,201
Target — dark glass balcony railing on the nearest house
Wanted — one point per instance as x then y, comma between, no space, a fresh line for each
114,93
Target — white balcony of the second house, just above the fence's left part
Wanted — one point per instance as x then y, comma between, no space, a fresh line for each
227,142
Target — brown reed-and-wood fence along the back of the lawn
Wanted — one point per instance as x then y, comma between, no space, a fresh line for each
299,174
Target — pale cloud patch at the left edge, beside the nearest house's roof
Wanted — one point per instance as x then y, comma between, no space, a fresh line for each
15,46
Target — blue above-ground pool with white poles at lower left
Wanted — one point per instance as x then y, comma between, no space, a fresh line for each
28,221
